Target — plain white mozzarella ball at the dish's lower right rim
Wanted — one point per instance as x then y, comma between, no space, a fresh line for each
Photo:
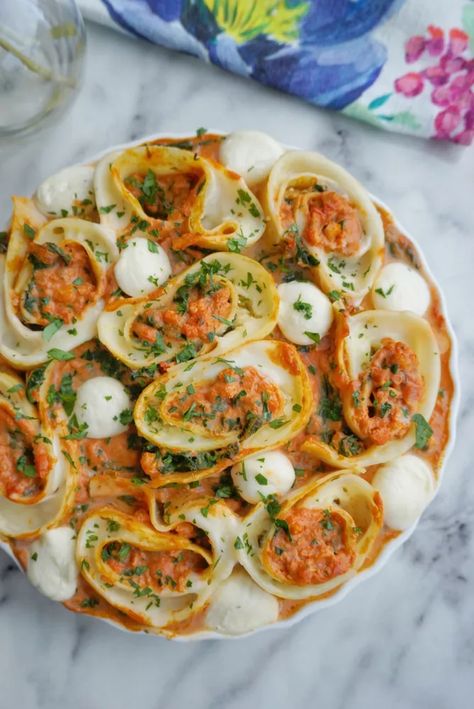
406,485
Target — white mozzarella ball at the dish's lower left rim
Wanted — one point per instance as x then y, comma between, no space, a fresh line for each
52,565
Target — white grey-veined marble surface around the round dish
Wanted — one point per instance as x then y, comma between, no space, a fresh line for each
402,639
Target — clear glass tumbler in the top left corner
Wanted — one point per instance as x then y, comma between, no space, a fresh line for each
42,45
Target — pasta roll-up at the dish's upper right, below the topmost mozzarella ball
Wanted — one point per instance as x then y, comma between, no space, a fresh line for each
316,202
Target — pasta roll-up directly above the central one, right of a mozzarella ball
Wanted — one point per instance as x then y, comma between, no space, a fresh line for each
215,305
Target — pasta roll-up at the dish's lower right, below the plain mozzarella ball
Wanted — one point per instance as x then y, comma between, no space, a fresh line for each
315,540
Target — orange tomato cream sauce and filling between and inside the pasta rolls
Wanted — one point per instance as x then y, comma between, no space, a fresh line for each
126,472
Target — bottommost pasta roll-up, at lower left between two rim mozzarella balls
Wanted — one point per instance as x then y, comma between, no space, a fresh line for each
156,577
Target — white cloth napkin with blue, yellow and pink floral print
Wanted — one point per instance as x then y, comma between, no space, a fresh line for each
403,65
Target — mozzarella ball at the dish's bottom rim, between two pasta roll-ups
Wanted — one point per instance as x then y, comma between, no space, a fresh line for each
239,606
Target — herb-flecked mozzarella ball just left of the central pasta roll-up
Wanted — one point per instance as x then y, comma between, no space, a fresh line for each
99,403
